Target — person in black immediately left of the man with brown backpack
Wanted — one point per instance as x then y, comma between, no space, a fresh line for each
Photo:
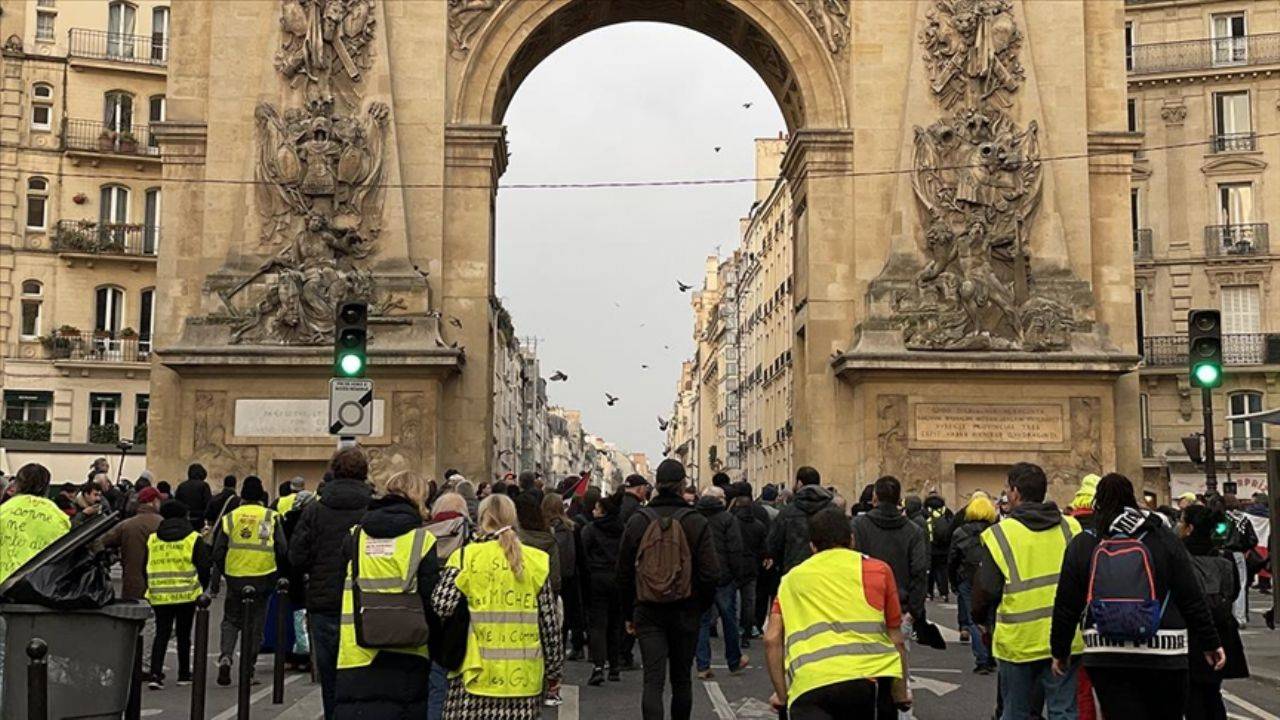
601,541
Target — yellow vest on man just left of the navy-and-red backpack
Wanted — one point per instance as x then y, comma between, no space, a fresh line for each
1030,562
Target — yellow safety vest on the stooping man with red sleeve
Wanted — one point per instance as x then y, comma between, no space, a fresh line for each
834,635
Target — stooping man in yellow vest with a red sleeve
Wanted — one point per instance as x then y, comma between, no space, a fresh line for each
835,631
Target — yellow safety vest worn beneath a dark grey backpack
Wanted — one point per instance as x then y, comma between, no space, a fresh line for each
386,566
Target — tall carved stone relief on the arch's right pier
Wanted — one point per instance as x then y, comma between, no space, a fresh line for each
979,181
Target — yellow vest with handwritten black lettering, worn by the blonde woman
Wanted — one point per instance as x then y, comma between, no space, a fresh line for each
505,650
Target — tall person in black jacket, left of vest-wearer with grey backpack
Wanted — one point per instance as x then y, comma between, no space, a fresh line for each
316,552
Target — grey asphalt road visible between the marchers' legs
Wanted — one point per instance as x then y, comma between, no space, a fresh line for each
945,690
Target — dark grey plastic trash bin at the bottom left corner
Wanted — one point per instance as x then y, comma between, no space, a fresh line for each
90,658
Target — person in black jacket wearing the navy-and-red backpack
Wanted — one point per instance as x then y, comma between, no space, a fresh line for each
1135,681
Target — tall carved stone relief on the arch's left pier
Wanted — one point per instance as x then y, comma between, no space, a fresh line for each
319,192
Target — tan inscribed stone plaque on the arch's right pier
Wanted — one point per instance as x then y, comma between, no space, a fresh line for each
956,422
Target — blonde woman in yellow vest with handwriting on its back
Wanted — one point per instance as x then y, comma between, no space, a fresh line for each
515,648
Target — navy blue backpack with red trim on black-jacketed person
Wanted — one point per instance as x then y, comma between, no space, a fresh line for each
1122,600
